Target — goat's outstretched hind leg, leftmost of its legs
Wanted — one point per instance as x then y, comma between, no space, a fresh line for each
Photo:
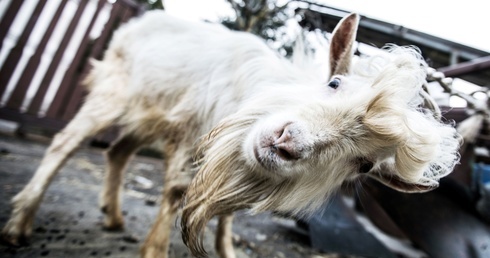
91,119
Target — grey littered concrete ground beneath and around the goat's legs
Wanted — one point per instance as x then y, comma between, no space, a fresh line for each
68,223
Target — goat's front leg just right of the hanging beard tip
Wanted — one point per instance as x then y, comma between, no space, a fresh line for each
224,237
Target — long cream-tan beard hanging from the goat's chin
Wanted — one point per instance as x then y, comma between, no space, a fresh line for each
224,182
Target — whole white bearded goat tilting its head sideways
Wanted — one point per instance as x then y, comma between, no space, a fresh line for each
275,137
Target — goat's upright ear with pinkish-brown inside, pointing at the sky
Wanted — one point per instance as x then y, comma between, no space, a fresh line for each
341,44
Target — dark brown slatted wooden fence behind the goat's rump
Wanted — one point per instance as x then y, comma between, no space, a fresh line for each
45,46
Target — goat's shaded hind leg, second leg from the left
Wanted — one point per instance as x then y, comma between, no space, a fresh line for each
110,199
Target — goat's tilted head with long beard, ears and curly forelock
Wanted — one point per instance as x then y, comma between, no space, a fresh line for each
367,120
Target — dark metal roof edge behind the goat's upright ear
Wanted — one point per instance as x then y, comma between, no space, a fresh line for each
440,53
